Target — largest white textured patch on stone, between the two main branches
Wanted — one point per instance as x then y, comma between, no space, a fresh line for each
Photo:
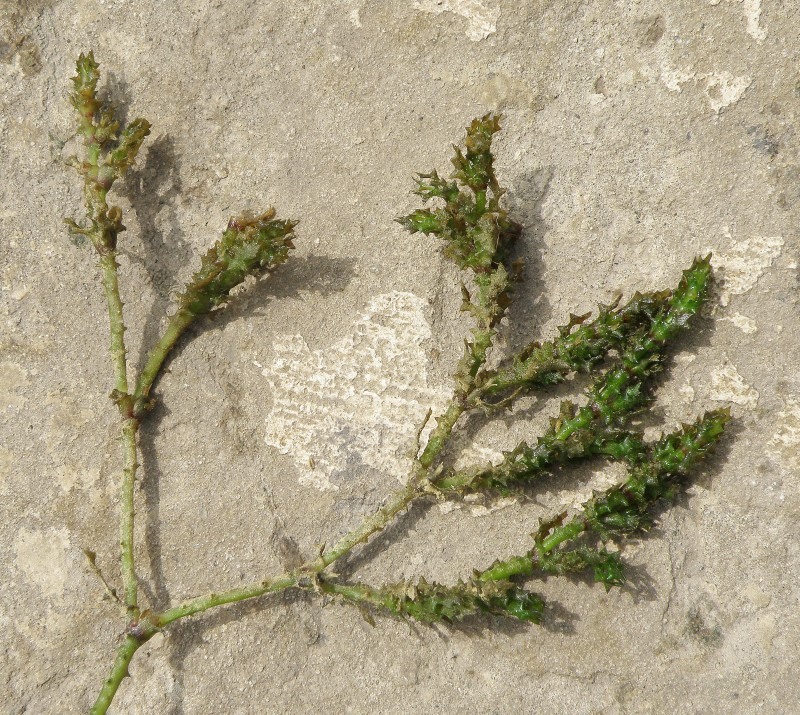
358,403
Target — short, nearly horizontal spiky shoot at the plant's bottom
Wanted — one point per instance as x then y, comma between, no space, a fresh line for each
433,602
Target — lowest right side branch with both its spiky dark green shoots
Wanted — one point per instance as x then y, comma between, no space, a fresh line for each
560,545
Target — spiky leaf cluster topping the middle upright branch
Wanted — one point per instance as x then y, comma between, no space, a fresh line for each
476,229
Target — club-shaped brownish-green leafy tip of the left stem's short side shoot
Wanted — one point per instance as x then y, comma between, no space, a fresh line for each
249,246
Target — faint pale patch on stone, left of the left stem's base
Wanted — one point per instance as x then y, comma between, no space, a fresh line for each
43,556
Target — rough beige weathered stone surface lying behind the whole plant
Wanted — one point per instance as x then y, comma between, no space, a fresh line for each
637,135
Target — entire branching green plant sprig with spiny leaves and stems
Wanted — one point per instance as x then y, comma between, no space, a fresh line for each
621,348
